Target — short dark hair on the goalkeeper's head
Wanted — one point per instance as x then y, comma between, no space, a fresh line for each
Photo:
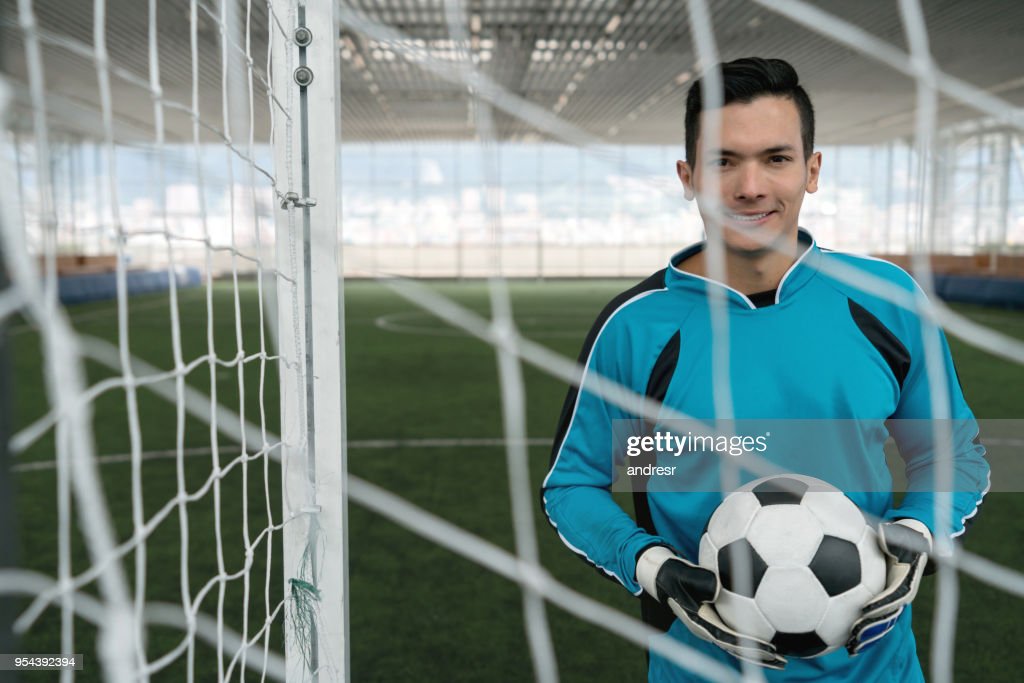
746,80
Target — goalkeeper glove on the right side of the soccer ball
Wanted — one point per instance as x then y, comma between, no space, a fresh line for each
906,544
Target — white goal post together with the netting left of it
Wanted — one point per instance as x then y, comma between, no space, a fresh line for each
161,159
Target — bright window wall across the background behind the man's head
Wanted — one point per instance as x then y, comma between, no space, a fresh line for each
463,209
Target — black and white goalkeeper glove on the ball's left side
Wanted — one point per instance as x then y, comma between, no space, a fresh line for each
691,591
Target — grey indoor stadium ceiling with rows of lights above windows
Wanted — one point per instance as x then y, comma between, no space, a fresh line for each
616,69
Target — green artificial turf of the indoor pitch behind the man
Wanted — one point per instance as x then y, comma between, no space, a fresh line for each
417,612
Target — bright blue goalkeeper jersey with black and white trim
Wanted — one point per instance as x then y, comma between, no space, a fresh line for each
828,346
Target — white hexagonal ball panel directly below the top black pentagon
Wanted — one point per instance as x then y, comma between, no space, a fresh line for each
785,535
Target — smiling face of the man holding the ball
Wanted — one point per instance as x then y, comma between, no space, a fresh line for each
761,170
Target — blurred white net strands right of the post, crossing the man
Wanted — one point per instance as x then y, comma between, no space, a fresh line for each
502,333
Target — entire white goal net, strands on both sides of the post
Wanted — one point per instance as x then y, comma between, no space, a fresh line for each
197,210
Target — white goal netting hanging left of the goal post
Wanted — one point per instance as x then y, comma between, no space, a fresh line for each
186,217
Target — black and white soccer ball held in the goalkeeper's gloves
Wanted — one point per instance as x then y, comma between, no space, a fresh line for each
815,564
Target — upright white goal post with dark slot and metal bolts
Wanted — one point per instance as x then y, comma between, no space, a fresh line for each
313,396
